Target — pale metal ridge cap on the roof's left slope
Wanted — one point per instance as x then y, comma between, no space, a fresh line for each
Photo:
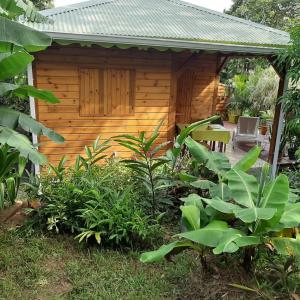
73,7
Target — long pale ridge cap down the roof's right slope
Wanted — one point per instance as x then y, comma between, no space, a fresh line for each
226,16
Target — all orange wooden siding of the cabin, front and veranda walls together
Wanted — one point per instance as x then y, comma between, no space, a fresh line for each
153,85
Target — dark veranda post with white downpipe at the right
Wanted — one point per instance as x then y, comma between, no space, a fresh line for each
278,126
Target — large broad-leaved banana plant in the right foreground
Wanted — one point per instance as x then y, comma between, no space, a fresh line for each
240,212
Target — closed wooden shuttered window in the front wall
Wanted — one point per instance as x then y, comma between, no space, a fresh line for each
108,92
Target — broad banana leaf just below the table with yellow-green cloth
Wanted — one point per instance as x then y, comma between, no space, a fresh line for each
216,162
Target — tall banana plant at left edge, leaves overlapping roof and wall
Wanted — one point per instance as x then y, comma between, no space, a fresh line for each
17,41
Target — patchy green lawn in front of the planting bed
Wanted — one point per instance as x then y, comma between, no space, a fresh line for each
57,267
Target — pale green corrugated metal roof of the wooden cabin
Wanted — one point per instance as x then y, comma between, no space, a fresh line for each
163,19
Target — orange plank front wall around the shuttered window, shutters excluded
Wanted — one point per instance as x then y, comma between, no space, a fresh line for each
57,69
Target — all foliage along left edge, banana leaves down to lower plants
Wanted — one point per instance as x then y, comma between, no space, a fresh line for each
16,41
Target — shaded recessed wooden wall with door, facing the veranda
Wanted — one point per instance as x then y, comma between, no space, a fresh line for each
204,86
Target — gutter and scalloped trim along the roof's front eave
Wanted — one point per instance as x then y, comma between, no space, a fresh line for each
165,43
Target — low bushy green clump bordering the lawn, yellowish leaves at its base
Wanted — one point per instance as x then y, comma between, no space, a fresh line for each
113,218
